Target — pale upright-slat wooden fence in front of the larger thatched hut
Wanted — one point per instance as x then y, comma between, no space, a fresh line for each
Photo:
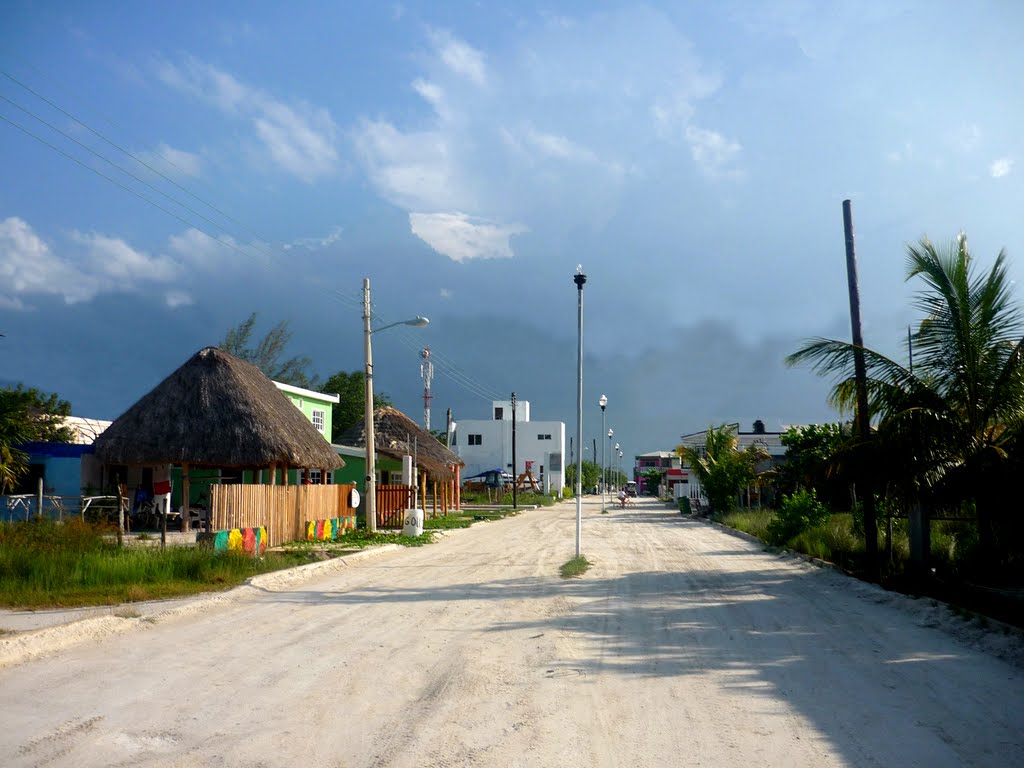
283,510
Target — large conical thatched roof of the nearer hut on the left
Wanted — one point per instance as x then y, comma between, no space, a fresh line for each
217,411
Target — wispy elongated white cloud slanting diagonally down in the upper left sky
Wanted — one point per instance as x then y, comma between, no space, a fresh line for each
300,138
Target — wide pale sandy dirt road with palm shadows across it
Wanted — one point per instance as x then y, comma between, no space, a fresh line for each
682,647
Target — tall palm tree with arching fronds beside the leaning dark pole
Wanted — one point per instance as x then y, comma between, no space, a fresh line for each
947,425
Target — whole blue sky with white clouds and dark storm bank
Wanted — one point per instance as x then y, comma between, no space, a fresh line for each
466,157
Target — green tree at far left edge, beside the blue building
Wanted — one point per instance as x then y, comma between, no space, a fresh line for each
28,415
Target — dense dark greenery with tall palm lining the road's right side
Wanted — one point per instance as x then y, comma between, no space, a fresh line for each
930,488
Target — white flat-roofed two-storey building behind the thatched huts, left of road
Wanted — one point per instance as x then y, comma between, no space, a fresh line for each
486,445
